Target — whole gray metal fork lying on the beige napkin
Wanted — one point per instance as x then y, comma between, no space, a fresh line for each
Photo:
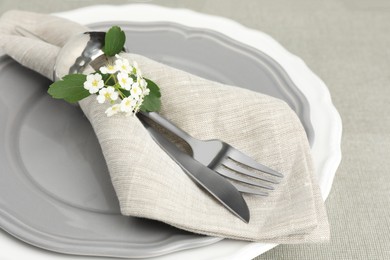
224,159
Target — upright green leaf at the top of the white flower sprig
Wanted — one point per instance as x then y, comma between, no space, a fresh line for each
114,41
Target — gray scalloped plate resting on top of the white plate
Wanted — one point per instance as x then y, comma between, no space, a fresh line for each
55,190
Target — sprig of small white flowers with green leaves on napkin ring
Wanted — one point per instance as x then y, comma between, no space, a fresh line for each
118,83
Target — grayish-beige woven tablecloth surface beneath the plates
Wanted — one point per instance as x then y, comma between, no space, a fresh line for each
346,43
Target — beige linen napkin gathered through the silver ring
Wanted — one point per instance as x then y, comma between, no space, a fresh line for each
150,185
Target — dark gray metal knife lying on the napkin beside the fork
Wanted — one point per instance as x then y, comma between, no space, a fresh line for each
212,182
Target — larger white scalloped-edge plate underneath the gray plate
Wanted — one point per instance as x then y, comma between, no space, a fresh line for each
326,145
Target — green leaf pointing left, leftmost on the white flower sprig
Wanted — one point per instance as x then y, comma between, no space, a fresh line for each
70,88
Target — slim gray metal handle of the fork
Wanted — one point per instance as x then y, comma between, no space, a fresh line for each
171,127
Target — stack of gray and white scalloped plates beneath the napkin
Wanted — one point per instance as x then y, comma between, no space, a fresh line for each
55,191
